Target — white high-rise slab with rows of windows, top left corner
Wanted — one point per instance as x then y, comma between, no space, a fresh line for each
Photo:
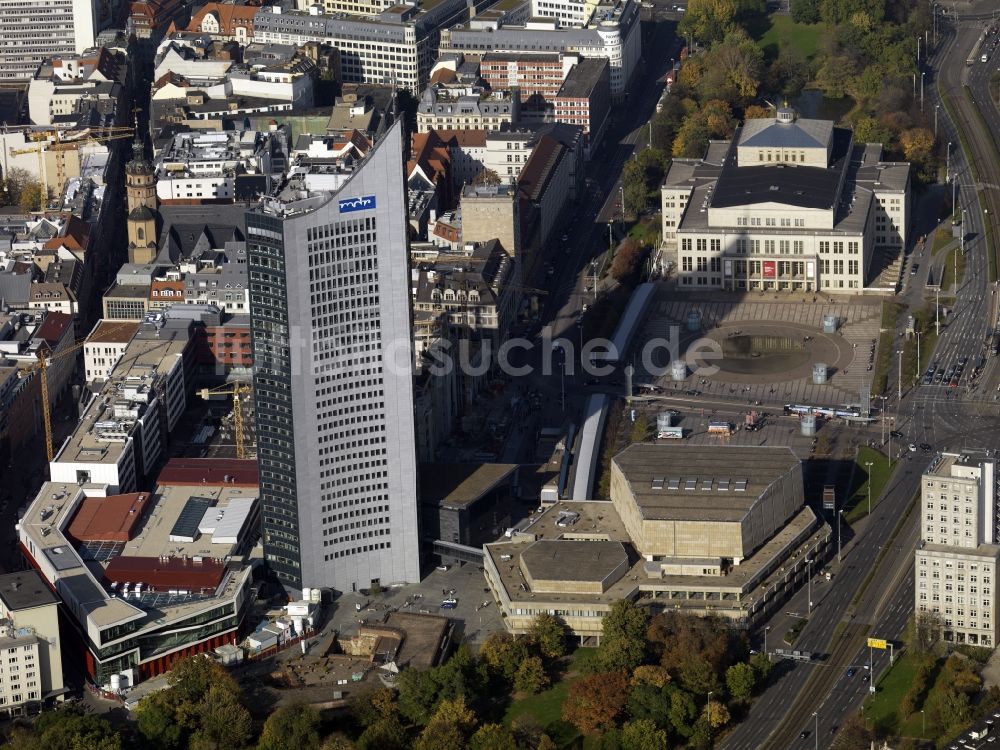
31,32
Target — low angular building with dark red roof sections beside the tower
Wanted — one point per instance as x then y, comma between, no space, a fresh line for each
148,577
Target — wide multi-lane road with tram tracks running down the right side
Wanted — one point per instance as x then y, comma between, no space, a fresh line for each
811,698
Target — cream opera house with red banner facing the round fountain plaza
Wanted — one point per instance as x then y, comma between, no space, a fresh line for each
788,204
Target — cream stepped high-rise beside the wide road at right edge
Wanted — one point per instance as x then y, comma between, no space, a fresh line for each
958,553
